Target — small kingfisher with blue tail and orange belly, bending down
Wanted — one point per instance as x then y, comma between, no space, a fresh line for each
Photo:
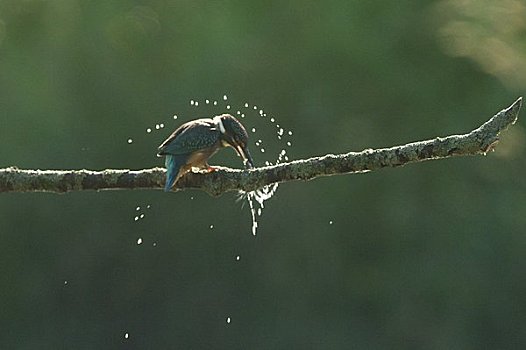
193,143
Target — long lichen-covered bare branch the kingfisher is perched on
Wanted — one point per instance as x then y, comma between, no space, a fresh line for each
478,141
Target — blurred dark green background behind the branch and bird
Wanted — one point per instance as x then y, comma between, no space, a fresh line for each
427,256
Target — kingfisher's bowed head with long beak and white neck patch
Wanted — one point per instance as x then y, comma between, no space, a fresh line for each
233,134
